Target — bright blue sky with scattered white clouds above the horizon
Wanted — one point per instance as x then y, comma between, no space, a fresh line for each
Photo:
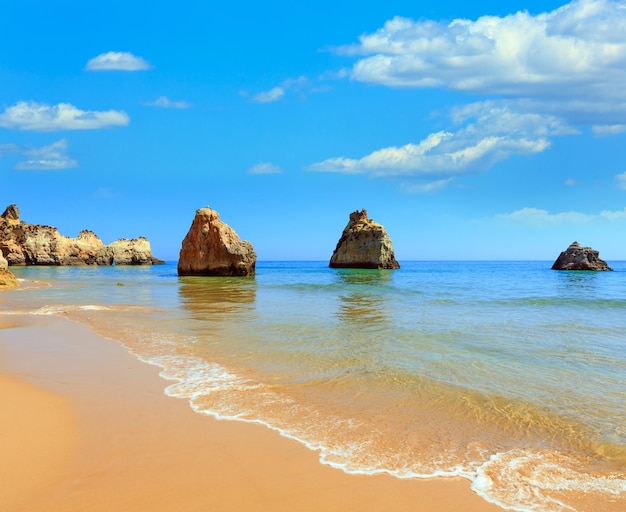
471,131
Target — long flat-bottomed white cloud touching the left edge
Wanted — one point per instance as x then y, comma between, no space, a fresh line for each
29,115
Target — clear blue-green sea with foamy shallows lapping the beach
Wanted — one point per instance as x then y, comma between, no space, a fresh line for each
508,374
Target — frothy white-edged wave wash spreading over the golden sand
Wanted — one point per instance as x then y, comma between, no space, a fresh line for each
520,480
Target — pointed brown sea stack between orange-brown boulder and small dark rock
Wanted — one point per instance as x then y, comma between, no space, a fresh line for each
363,244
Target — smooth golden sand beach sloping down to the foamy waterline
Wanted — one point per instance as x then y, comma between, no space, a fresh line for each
87,427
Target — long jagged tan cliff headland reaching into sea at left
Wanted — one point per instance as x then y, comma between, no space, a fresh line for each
34,244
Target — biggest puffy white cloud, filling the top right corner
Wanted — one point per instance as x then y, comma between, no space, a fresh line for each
570,61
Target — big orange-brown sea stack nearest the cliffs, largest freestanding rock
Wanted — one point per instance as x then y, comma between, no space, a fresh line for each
212,248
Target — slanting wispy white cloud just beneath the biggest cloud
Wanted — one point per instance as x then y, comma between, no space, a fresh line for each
493,133
